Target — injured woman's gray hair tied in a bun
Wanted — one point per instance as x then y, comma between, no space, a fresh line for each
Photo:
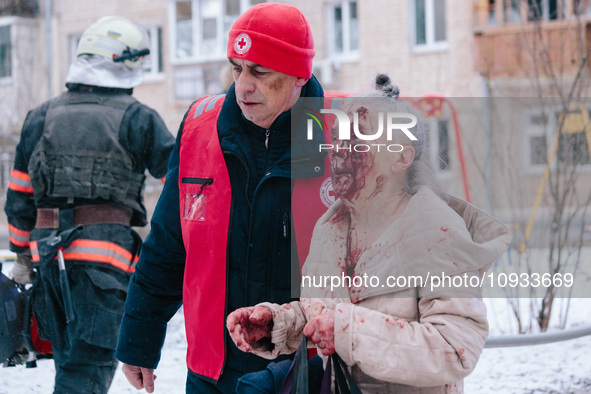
420,173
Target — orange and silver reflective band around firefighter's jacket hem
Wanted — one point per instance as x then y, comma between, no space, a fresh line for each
95,251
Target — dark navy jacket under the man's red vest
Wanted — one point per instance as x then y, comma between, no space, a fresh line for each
258,248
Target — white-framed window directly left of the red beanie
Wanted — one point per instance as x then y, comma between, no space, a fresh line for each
200,27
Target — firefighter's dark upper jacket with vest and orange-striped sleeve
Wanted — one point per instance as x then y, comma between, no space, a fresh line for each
98,142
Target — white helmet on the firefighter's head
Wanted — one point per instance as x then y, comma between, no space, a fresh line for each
113,36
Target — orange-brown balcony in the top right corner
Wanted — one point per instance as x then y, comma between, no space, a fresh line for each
525,38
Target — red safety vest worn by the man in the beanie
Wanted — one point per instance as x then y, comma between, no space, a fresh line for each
205,199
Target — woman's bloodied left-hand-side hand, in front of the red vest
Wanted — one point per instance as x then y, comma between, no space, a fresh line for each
249,325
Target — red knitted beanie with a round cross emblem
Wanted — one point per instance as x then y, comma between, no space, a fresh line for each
276,36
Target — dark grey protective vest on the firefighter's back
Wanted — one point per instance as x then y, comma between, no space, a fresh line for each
90,165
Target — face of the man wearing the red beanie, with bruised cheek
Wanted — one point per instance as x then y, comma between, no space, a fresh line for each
262,93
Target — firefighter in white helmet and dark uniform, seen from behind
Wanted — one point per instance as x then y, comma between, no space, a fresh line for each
74,193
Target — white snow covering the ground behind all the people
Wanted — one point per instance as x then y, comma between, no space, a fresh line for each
561,367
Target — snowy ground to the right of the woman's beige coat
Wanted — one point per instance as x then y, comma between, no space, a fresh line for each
560,367
